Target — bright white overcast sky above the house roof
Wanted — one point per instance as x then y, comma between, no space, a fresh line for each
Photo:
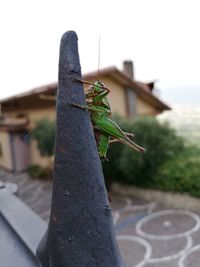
161,37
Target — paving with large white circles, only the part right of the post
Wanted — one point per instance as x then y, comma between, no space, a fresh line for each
153,236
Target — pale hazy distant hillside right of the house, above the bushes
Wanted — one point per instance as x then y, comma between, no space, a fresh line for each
186,120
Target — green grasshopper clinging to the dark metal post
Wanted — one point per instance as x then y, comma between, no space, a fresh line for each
105,129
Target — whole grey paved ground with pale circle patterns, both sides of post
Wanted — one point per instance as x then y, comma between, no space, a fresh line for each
149,235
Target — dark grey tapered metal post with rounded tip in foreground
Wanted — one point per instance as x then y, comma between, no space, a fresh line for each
80,231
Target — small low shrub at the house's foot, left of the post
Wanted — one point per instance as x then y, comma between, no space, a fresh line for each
37,171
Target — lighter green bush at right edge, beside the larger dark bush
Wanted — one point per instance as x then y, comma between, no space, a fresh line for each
180,173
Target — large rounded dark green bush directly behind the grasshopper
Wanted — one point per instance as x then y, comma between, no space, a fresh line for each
128,166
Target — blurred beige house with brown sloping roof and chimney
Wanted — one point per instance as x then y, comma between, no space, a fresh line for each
128,98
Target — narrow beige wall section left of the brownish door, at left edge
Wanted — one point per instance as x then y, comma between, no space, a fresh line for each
5,158
